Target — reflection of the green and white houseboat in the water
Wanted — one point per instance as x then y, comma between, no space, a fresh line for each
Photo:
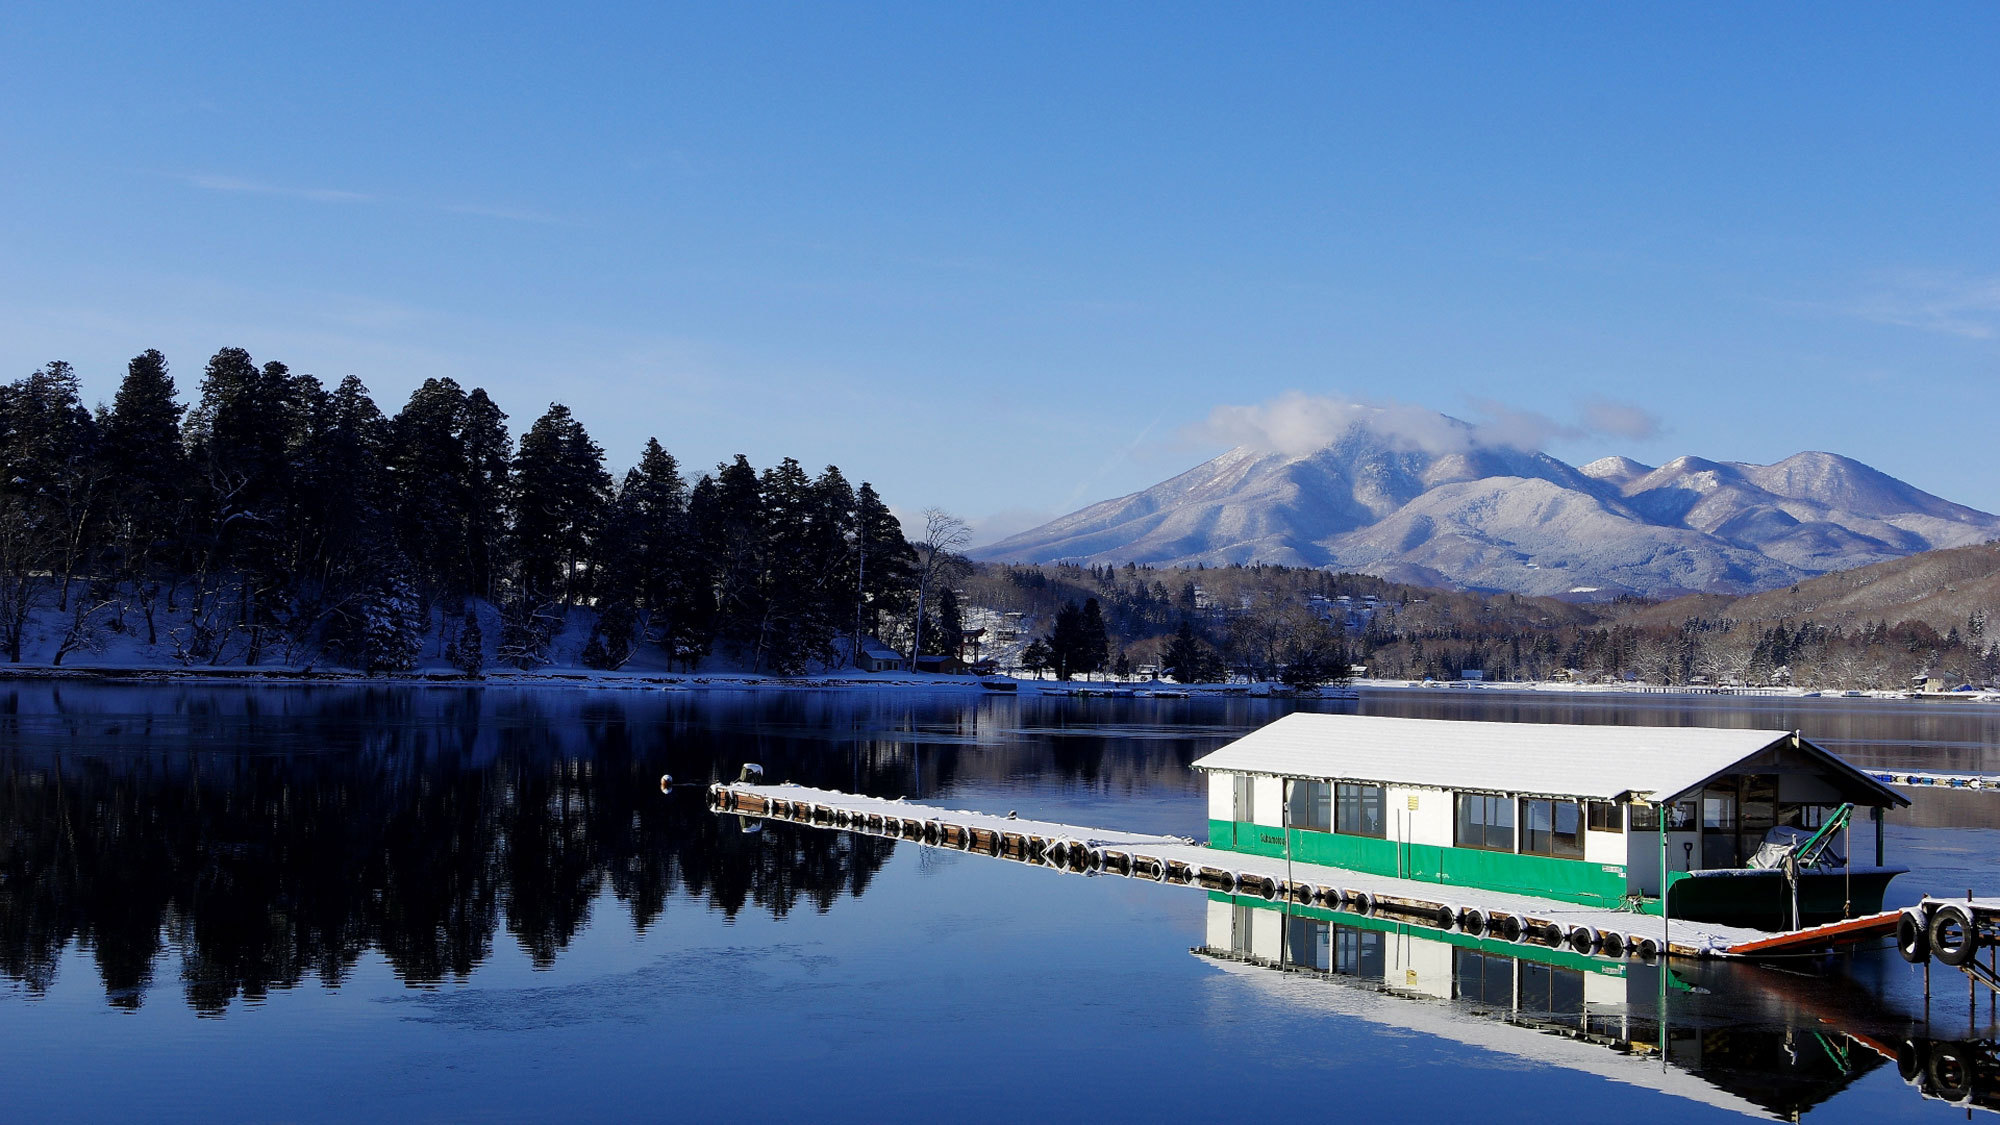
1737,1036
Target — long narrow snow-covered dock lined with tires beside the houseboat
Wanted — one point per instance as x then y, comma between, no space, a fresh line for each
1187,864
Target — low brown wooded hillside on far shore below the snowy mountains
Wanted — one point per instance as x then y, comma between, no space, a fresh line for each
1877,628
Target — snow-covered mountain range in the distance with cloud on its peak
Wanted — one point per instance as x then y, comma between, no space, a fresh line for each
1449,509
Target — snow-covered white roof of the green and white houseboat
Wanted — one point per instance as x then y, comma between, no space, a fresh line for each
1655,764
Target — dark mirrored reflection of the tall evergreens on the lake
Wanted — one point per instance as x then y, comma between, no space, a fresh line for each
417,838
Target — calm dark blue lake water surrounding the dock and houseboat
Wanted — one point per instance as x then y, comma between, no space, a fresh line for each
439,904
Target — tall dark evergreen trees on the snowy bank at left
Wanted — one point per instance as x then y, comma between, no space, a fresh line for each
279,519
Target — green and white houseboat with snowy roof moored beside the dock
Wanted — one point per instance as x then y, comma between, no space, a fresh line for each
1739,828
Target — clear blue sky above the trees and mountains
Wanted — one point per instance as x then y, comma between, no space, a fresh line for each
1009,259
